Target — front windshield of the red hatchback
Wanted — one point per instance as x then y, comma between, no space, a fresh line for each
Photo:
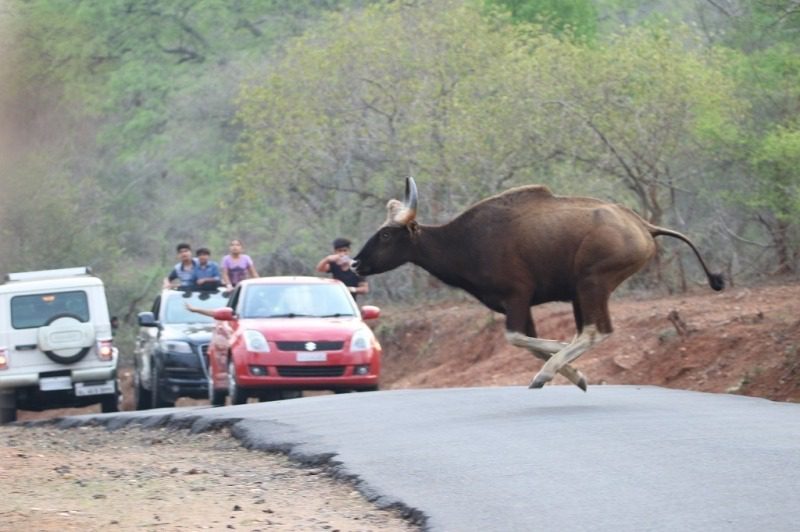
297,300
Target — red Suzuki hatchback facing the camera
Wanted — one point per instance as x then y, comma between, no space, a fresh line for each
281,335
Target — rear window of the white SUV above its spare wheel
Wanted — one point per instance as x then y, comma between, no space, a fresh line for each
32,311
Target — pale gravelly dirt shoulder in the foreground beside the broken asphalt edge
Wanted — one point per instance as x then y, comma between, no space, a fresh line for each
88,478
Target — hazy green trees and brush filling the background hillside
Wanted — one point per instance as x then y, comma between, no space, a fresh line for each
289,122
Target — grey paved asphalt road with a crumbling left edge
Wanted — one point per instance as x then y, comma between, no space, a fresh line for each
618,458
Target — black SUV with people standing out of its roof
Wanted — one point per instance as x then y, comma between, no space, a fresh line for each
172,347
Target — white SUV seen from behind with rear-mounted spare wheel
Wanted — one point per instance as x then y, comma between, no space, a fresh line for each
56,345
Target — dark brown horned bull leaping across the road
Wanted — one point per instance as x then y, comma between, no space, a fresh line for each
524,247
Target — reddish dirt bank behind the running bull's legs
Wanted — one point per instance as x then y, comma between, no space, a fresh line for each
743,340
